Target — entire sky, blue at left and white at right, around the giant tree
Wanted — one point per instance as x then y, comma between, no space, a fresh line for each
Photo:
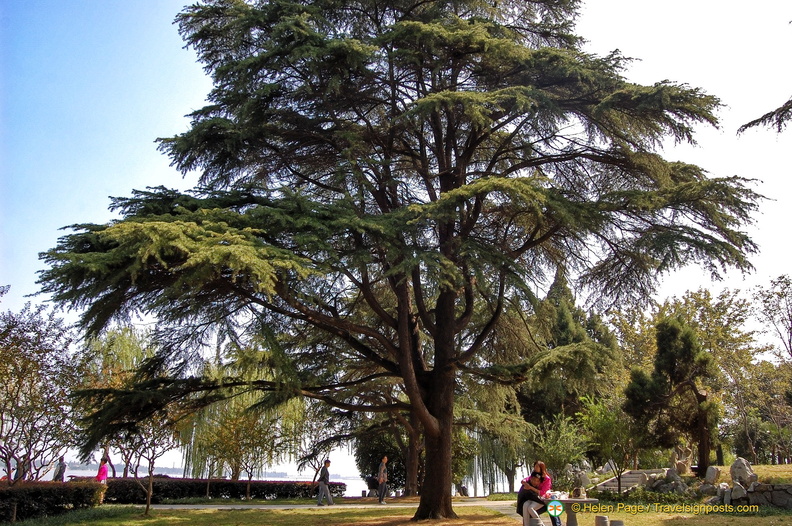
87,86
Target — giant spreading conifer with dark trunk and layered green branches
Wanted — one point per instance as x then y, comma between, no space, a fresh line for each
381,170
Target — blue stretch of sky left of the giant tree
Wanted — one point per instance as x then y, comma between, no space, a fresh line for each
86,88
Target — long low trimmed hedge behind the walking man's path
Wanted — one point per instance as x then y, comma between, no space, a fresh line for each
129,491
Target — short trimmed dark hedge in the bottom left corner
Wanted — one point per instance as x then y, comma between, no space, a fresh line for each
43,499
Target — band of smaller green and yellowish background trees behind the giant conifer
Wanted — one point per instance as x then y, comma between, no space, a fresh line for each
598,387
